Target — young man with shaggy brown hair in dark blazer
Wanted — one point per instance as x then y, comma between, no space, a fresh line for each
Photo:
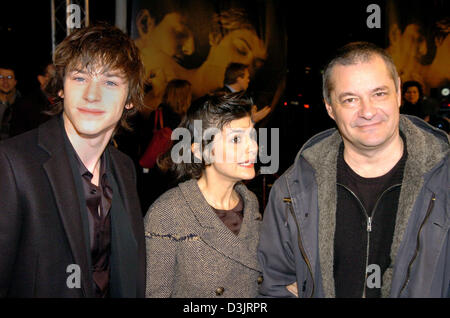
70,221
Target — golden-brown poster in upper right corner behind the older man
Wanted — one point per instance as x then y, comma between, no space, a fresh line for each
419,42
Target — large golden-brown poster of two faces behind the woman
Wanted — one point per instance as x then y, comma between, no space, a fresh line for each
195,40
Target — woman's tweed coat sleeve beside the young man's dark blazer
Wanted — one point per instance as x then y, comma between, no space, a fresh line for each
161,249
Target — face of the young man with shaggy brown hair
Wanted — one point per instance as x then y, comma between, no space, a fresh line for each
94,102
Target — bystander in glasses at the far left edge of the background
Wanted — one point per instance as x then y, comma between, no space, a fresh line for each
9,98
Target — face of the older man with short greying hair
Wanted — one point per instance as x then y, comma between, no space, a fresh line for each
365,104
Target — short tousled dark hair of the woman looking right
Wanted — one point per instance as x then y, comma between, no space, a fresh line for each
214,111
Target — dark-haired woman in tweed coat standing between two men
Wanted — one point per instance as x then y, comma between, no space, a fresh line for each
201,236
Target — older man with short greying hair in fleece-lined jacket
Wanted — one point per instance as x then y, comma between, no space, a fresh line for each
363,211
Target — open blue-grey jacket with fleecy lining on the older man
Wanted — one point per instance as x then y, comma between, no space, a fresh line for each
297,236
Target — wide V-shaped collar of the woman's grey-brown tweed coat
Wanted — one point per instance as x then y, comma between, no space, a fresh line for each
242,247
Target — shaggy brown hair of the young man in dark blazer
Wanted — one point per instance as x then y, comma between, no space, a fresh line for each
99,46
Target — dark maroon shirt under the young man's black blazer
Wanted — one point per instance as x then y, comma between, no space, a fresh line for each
98,202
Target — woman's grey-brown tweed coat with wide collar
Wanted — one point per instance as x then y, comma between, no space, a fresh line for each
191,252
